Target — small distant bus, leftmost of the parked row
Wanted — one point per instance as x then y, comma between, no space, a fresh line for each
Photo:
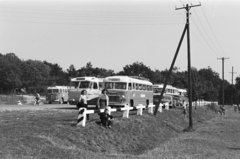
57,94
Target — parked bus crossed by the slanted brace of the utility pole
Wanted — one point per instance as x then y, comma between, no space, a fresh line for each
170,95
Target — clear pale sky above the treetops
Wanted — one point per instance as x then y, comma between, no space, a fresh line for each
114,33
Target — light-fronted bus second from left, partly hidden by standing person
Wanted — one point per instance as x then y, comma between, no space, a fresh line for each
92,85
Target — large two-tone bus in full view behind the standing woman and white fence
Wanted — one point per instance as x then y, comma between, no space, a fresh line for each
129,90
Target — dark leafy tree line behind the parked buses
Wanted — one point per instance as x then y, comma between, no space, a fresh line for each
38,75
